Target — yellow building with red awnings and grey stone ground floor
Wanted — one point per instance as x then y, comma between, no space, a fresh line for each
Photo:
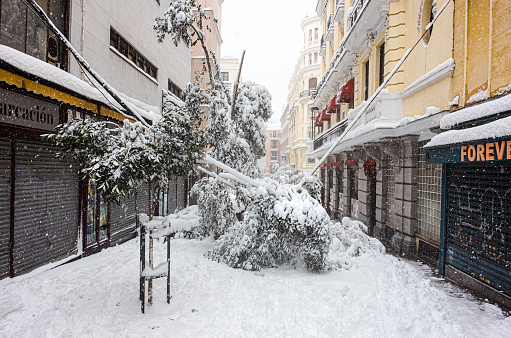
378,173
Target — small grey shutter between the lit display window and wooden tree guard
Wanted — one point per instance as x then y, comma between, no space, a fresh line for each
122,220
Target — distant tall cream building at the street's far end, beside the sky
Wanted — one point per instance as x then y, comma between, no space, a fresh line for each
297,115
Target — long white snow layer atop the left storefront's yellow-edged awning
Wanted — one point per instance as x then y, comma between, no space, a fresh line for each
64,79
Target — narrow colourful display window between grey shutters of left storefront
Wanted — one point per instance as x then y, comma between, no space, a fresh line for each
97,216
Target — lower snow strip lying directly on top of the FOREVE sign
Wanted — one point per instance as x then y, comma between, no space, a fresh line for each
495,129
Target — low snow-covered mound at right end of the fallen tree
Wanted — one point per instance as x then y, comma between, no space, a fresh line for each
350,239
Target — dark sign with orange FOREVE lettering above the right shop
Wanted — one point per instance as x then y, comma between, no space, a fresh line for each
482,151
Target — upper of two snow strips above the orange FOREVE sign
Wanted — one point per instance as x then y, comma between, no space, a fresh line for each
487,108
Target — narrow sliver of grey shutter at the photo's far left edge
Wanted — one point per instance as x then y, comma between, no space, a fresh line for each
5,205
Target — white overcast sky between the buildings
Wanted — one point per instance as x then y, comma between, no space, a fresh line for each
270,32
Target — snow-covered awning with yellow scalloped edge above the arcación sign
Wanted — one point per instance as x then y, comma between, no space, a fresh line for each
68,82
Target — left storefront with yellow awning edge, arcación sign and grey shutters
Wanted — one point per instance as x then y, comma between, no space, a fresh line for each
49,214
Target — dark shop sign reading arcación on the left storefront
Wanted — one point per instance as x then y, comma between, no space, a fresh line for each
26,111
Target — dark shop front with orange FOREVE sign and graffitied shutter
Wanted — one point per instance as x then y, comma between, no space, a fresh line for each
475,239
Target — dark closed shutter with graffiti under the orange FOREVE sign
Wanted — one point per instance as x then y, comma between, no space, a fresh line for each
478,222
